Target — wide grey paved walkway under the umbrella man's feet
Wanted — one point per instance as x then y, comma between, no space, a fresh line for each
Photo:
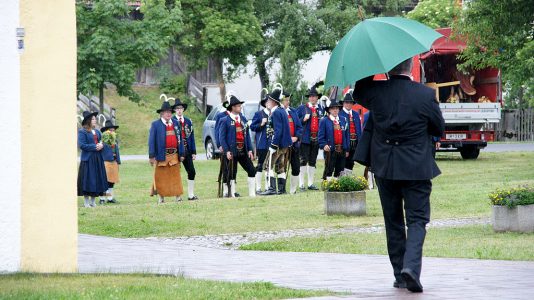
363,276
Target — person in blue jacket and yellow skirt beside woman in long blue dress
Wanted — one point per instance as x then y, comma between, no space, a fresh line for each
112,160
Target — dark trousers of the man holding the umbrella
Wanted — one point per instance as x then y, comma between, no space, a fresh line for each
405,248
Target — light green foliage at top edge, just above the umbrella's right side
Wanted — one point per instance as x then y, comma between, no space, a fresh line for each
435,13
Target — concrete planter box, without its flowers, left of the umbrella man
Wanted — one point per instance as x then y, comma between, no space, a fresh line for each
345,203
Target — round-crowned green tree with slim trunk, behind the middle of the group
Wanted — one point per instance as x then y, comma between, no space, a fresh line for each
225,31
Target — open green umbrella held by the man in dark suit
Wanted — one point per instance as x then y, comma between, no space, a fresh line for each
375,46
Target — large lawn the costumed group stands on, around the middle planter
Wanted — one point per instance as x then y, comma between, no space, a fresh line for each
461,191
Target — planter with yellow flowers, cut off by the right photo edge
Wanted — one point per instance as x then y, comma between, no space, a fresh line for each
513,209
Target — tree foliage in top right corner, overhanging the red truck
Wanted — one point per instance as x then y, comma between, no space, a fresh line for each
500,34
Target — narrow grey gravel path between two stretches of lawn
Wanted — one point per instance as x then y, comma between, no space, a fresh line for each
234,241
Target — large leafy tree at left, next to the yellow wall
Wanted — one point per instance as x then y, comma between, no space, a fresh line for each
112,45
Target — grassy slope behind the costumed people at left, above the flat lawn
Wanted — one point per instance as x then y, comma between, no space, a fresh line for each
135,119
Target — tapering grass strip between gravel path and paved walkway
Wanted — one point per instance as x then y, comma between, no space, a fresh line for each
467,242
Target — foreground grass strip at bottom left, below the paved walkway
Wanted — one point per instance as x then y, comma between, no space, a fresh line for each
137,286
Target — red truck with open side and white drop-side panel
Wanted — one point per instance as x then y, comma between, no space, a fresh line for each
468,100
